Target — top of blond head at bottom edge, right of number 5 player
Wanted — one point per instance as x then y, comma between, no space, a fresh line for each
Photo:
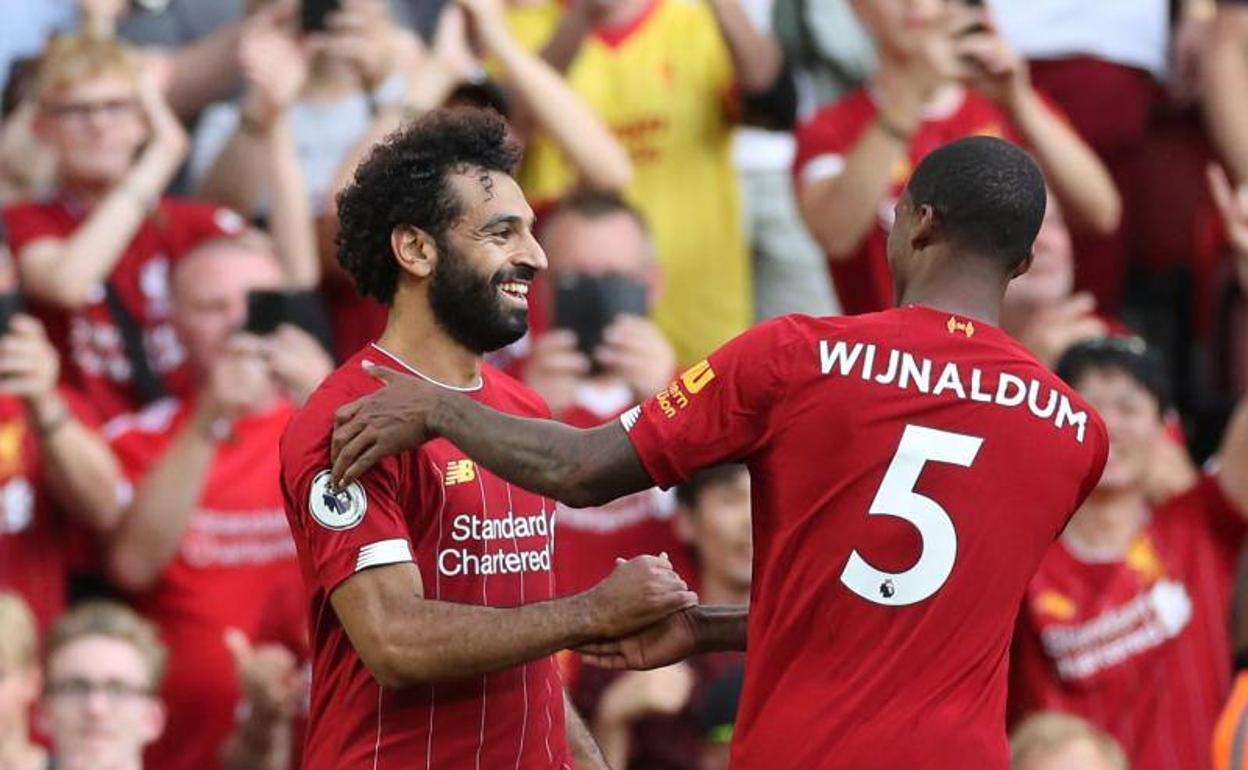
1060,742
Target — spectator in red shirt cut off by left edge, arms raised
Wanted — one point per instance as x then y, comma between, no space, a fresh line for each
58,477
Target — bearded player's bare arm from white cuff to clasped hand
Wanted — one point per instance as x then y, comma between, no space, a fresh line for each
406,640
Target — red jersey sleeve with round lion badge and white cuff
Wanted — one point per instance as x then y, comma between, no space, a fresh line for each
343,531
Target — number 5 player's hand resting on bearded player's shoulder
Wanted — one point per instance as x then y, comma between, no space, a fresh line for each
383,424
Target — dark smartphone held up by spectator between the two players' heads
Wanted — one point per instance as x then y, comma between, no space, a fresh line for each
587,305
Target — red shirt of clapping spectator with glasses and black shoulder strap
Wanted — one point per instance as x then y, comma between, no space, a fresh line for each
88,340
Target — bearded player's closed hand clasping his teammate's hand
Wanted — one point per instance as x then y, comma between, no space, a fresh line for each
638,593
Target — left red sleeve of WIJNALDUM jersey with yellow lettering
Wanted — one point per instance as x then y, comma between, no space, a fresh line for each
721,410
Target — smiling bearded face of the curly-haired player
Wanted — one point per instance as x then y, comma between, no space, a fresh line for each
486,264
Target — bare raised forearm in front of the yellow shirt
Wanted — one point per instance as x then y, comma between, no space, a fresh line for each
551,103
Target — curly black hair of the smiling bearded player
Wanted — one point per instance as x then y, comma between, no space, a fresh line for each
406,182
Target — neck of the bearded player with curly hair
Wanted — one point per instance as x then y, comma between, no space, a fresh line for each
414,338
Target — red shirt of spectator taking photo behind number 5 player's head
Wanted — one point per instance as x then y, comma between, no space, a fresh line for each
864,281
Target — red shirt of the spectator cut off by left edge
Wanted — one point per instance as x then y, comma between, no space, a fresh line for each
34,535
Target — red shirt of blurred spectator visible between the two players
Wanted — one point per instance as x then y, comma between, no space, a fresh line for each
591,540
